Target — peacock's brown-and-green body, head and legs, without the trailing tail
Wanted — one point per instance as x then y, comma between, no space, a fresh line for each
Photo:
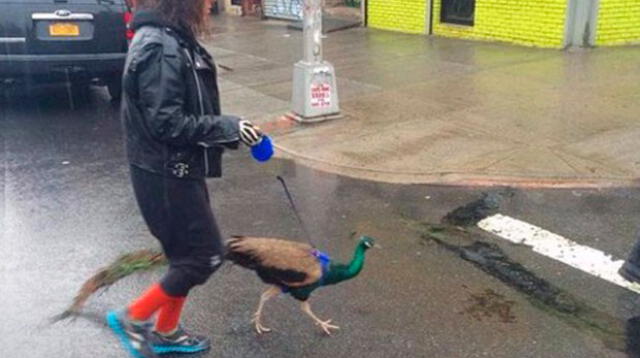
294,268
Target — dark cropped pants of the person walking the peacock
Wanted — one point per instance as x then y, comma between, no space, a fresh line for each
178,213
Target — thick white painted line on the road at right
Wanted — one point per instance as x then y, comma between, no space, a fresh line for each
587,259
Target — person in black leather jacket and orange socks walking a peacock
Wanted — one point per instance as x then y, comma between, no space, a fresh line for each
175,137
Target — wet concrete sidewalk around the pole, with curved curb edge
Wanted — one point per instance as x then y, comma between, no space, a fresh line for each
422,109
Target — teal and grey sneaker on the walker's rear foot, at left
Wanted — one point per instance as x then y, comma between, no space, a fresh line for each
135,338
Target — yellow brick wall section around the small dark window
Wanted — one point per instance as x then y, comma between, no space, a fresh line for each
526,22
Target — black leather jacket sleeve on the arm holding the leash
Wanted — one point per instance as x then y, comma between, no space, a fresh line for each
162,91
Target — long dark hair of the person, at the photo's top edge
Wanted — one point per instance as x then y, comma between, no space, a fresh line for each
182,13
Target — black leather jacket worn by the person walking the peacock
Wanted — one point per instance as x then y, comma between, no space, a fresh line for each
171,106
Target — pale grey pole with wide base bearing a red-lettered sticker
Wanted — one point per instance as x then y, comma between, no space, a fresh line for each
315,94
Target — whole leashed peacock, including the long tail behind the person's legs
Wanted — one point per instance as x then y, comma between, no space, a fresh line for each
287,266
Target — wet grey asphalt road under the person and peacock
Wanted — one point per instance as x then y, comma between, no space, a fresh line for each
67,209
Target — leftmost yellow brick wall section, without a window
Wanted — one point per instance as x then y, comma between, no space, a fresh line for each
398,15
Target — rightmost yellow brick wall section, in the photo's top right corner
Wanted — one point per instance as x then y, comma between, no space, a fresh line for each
618,22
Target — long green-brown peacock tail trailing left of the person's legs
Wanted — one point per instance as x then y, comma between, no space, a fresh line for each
124,266
